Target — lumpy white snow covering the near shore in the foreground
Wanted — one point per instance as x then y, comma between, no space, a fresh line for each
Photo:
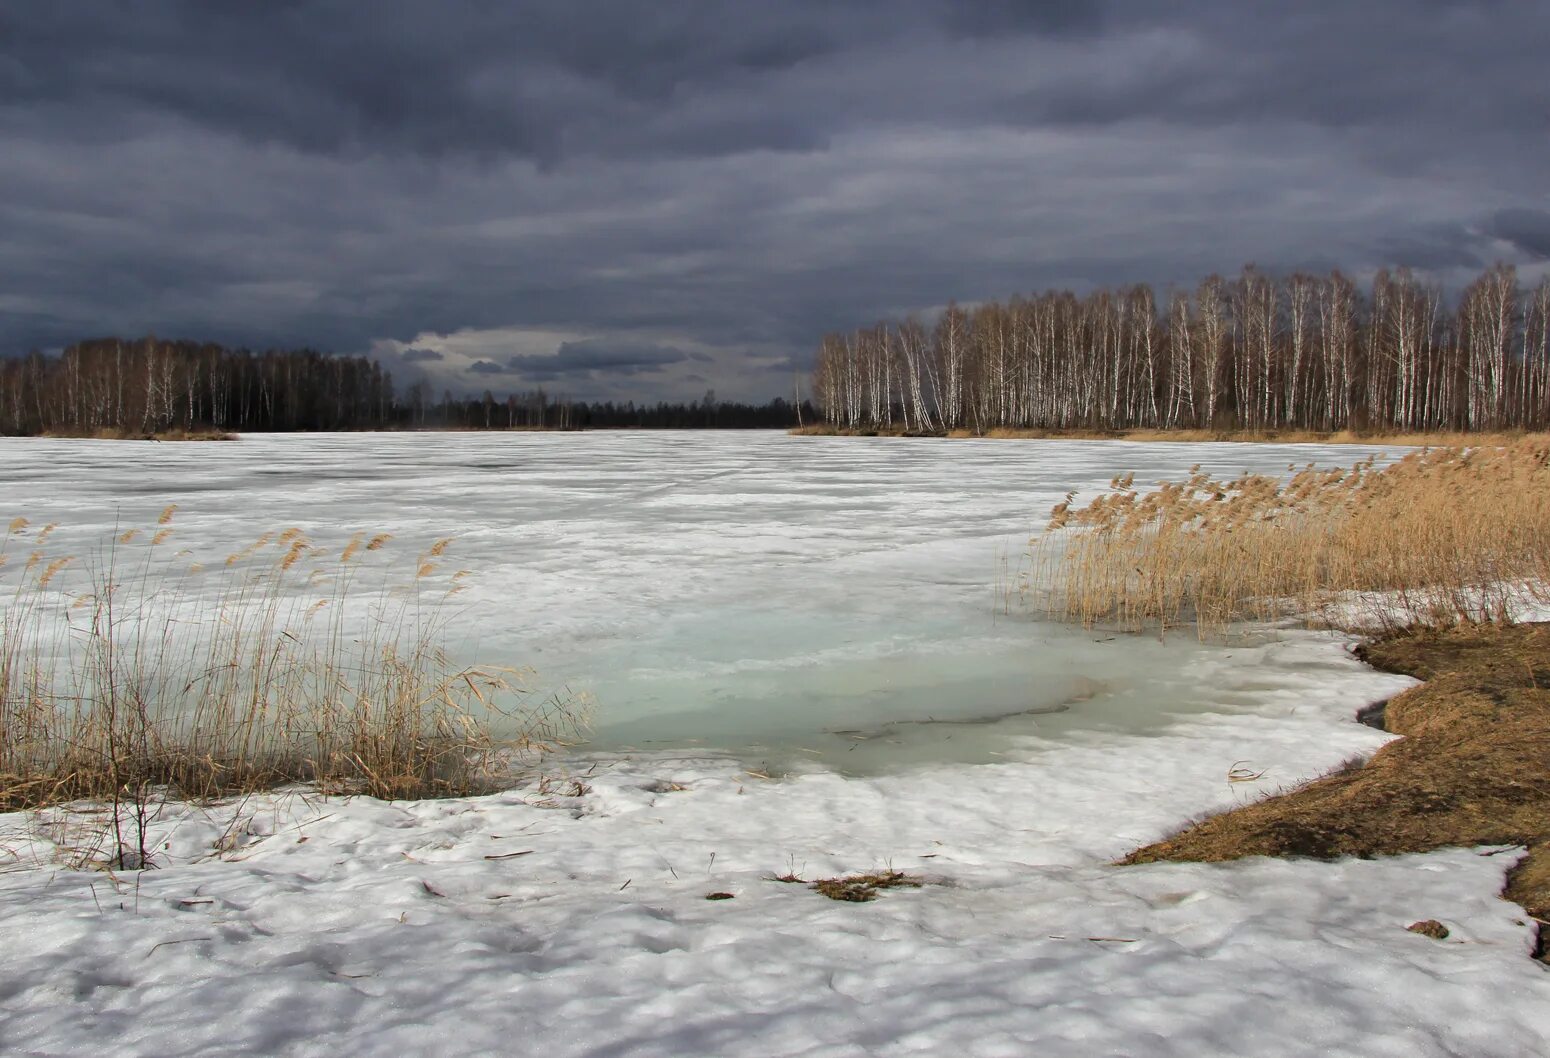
605,882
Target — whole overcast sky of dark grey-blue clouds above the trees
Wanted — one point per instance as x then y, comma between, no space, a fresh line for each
647,201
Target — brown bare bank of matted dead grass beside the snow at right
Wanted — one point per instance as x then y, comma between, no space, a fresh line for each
1472,769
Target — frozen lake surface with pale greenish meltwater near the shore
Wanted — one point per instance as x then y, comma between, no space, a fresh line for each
784,599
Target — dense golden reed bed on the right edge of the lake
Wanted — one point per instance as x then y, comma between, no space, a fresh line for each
1441,537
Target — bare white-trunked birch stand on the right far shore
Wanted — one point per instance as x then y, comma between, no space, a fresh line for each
1255,352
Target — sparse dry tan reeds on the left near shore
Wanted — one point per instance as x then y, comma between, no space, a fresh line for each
134,670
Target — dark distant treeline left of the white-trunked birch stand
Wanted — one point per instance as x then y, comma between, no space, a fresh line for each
153,386
